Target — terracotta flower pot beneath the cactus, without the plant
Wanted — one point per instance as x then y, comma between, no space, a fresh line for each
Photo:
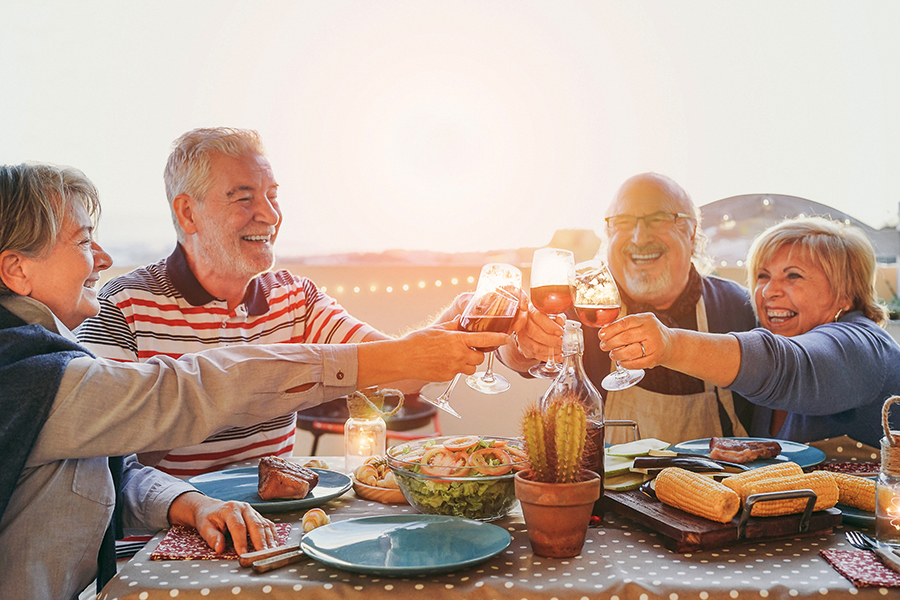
557,515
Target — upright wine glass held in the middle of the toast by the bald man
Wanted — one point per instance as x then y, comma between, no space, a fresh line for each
552,276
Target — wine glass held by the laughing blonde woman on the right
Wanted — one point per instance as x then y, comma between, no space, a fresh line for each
597,303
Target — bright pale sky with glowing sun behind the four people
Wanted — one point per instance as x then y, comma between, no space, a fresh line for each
456,125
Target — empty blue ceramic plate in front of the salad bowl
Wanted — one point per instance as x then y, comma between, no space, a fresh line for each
405,545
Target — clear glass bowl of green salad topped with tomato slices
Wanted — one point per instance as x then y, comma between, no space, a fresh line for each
470,476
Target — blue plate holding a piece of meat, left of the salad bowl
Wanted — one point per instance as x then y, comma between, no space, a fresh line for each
241,484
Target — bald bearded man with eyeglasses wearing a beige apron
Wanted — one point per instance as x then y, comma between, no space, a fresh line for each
654,247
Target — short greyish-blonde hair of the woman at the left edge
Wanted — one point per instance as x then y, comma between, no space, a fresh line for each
34,199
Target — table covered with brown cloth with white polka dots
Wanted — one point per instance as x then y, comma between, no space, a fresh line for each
620,560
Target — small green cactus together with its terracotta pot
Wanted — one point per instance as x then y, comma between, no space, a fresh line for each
556,493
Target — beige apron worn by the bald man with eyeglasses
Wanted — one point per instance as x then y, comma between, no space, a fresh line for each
671,418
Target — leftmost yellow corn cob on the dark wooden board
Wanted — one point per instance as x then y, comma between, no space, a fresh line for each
697,494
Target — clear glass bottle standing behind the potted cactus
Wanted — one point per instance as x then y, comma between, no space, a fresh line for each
573,380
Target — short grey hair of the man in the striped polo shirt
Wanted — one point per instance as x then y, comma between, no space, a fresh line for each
188,168
